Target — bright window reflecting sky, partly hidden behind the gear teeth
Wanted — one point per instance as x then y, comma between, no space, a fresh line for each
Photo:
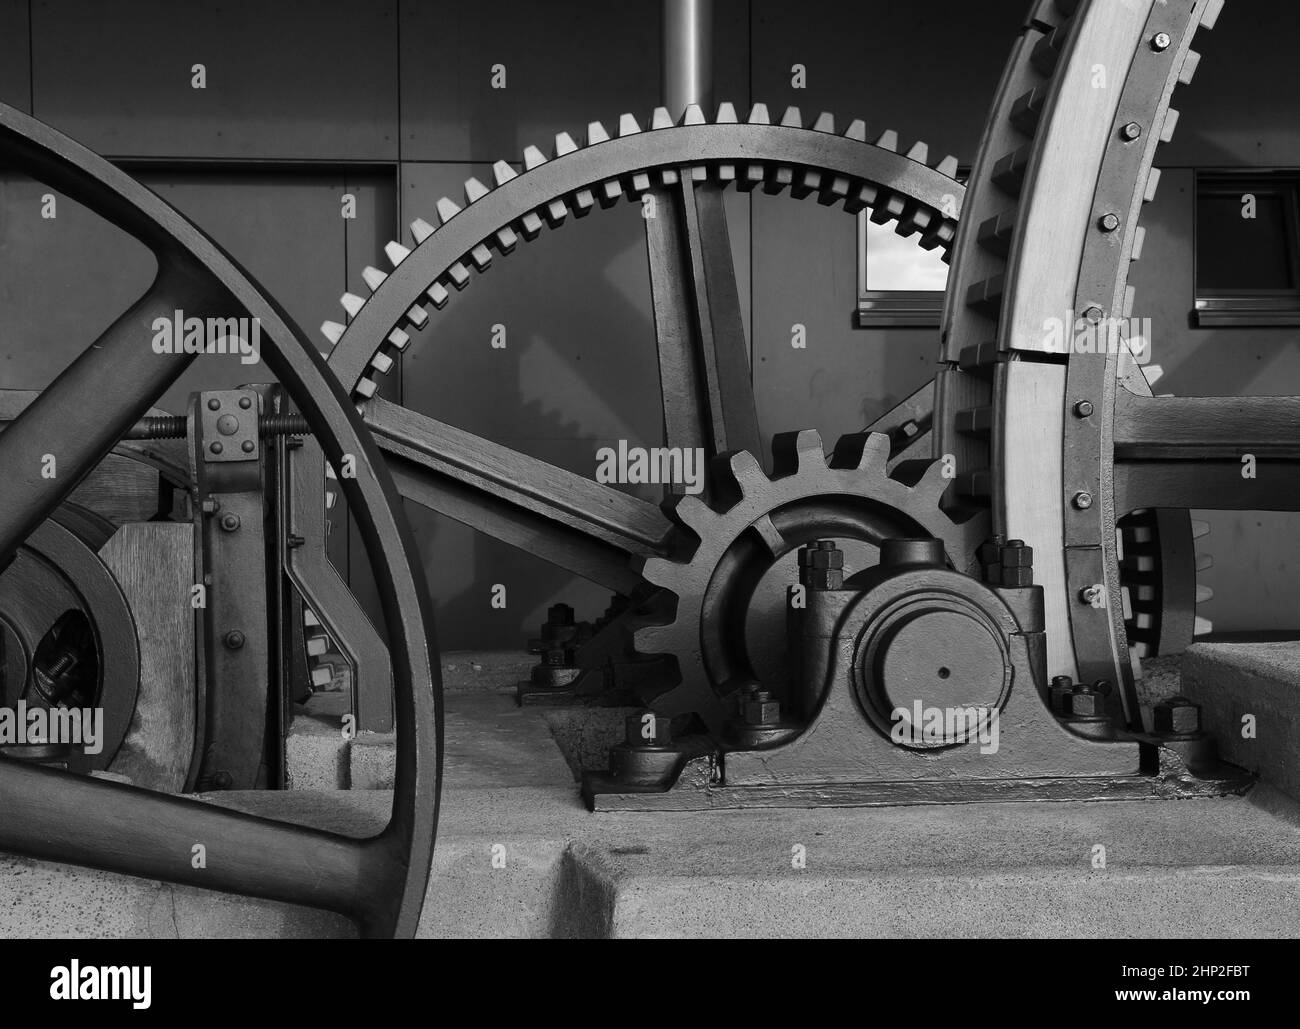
899,283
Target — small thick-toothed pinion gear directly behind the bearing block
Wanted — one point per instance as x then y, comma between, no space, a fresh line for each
731,593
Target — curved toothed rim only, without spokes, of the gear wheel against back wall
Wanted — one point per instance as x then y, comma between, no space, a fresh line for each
837,168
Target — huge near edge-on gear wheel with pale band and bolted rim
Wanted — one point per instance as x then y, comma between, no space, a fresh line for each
1067,446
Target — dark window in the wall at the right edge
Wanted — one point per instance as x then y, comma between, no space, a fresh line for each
1247,249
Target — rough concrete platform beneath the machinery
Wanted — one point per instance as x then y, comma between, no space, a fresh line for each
1189,869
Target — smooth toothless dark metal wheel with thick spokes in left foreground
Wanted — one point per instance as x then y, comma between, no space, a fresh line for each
62,818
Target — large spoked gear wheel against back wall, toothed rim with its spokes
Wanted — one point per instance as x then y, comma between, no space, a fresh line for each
587,528
